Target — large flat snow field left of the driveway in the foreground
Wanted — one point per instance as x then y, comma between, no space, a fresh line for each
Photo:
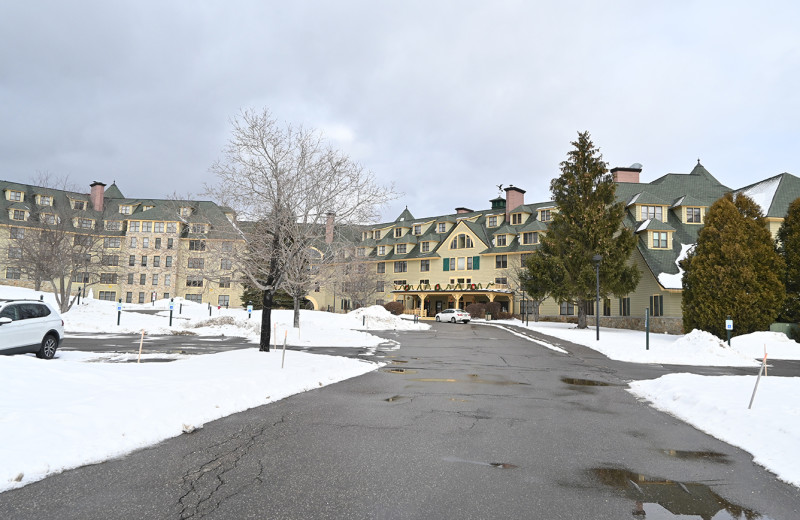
100,410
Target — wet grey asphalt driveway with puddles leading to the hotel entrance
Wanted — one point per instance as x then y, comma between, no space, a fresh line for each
463,422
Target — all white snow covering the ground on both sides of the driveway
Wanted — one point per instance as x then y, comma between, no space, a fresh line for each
100,406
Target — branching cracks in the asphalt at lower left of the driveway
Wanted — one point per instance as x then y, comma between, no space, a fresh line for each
203,485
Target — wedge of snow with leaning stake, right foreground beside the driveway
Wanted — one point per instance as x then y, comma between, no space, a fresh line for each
718,406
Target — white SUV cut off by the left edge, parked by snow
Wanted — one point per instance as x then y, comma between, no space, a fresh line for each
30,326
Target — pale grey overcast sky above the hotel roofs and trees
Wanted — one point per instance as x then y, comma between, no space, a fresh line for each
445,99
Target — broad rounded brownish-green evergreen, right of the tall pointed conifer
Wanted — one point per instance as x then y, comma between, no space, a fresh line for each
734,270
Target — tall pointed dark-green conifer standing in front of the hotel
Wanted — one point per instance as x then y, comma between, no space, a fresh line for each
588,223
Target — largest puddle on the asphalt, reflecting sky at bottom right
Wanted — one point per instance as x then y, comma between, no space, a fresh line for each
653,497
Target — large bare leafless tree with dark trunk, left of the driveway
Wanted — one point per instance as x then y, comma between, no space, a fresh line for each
285,180
